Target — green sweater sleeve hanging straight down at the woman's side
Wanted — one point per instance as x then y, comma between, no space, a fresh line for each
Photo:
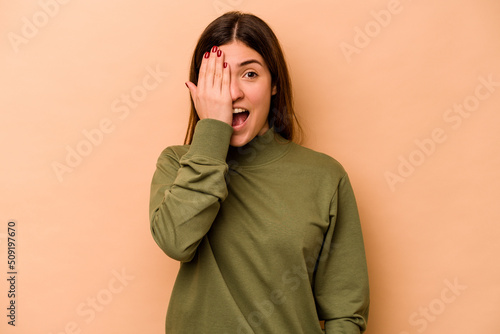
341,283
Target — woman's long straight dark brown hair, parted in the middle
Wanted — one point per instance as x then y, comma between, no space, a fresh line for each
256,34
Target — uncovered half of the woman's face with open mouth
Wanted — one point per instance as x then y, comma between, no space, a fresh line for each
250,91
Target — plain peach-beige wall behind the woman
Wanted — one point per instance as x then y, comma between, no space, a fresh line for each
382,97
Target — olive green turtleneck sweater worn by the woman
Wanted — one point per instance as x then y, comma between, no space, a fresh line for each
268,236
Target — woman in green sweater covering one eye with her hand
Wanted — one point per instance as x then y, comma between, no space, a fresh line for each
267,231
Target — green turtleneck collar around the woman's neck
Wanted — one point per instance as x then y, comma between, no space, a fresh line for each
261,150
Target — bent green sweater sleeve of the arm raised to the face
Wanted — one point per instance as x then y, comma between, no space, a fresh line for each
186,191
